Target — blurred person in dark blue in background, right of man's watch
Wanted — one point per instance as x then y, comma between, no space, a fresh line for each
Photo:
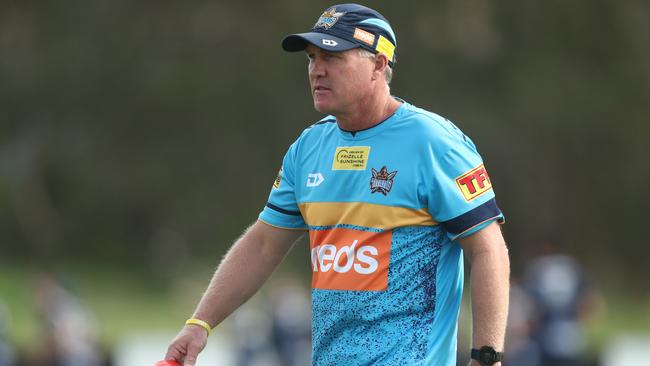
548,311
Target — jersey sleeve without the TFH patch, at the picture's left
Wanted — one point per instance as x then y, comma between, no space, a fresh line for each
281,209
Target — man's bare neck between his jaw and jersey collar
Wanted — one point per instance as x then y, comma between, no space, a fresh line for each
369,113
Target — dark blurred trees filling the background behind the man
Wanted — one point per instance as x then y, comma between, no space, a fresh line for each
121,120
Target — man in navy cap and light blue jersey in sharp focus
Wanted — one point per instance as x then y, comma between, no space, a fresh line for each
391,195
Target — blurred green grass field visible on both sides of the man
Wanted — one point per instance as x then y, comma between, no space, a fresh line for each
128,299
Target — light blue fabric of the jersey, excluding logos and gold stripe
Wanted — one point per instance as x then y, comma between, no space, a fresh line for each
413,321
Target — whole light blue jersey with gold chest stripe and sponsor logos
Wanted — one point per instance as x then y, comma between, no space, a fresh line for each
383,207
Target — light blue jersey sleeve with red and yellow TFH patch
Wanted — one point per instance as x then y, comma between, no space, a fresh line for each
462,198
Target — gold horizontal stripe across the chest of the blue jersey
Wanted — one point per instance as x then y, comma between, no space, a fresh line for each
363,214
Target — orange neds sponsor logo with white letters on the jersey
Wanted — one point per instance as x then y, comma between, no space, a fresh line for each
347,259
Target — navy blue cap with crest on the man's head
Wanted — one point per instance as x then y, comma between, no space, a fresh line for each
344,27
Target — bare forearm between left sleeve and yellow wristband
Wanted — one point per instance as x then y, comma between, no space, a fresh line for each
244,269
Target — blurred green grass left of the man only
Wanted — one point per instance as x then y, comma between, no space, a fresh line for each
123,300
